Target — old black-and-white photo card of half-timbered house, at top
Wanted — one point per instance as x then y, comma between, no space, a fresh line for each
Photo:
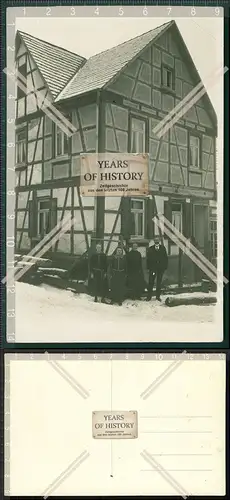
118,267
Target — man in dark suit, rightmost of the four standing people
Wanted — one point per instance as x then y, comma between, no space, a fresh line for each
157,263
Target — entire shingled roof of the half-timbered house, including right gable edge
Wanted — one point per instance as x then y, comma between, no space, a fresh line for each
70,75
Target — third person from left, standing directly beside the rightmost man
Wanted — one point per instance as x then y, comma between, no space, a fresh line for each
136,282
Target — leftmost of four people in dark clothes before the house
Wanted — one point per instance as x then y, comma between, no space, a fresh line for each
98,272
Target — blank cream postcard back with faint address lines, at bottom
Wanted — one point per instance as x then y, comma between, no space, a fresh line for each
135,427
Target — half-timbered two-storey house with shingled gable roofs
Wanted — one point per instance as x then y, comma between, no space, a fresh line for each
115,99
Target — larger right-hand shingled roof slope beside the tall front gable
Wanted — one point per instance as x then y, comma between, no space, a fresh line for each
101,68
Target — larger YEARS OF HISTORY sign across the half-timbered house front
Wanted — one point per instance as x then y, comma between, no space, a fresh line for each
114,174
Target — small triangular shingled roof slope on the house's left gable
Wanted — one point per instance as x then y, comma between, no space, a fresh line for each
56,65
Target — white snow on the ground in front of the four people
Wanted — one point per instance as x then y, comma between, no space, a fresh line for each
47,314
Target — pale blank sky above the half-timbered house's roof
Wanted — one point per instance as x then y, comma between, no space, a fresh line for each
88,36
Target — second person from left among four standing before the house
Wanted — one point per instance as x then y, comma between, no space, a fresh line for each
118,272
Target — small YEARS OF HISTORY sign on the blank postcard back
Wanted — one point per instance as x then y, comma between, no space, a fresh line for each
114,424
